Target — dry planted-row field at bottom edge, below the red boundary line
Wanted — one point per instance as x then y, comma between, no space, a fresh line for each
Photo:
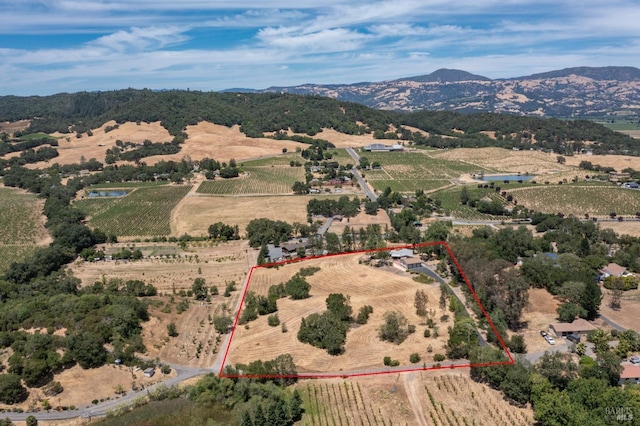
421,398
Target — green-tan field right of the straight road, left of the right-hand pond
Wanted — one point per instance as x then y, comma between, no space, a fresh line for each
409,171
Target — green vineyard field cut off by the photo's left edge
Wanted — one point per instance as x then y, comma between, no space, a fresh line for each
21,226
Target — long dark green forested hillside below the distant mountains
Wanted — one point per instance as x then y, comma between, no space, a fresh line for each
261,113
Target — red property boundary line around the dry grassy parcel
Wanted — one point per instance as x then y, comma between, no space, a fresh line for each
371,372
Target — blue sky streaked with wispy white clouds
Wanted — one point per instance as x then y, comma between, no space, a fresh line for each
51,46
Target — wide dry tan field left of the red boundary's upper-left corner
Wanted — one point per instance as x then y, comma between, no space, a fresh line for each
218,264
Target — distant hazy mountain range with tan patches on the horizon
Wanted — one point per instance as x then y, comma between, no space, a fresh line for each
585,92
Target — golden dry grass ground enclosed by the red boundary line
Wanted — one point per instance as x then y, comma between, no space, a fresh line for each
385,290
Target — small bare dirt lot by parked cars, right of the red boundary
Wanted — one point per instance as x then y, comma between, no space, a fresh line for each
539,313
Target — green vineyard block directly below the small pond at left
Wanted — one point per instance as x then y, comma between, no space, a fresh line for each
143,212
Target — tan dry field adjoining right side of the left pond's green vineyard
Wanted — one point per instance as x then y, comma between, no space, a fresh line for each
194,214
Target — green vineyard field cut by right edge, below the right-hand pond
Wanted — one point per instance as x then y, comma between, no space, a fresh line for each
579,199
